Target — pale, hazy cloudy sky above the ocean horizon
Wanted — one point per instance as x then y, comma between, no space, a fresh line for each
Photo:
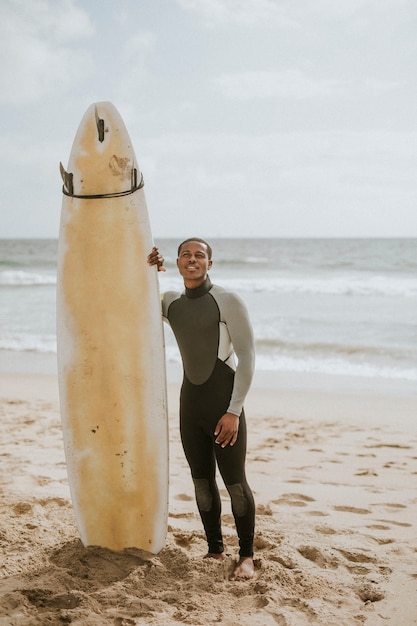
249,118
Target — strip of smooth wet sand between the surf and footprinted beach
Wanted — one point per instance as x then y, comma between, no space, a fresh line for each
301,396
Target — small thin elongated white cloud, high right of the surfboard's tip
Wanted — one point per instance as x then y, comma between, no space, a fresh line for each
276,84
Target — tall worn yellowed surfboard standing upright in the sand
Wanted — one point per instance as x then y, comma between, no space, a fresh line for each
110,343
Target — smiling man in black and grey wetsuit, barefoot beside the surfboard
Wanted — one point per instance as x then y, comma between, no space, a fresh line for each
211,325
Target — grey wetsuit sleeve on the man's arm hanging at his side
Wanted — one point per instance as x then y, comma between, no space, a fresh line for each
235,315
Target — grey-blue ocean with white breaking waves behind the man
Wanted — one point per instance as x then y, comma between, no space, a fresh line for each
340,307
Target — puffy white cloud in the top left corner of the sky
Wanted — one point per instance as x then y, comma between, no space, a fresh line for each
36,45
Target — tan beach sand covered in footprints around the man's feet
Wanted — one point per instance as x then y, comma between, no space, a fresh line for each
334,473
